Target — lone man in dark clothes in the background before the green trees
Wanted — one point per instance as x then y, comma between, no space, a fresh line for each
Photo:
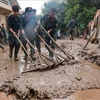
72,25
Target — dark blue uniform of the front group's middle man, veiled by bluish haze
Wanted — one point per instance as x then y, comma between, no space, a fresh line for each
28,24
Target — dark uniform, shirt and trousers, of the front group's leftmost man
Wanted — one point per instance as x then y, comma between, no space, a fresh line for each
14,23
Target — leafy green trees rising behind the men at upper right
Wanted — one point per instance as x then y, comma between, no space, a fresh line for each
82,10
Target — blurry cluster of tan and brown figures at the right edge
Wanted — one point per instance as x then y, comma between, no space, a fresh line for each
93,29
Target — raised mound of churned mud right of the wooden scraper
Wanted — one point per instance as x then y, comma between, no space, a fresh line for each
90,54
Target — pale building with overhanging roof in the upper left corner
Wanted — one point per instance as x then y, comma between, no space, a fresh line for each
6,9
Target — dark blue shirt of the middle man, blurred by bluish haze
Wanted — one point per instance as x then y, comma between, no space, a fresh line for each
28,24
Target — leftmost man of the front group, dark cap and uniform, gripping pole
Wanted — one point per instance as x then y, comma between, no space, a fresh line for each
13,31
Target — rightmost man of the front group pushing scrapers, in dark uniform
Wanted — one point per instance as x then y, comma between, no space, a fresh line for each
50,24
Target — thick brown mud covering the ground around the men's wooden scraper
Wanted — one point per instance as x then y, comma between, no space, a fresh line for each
81,73
